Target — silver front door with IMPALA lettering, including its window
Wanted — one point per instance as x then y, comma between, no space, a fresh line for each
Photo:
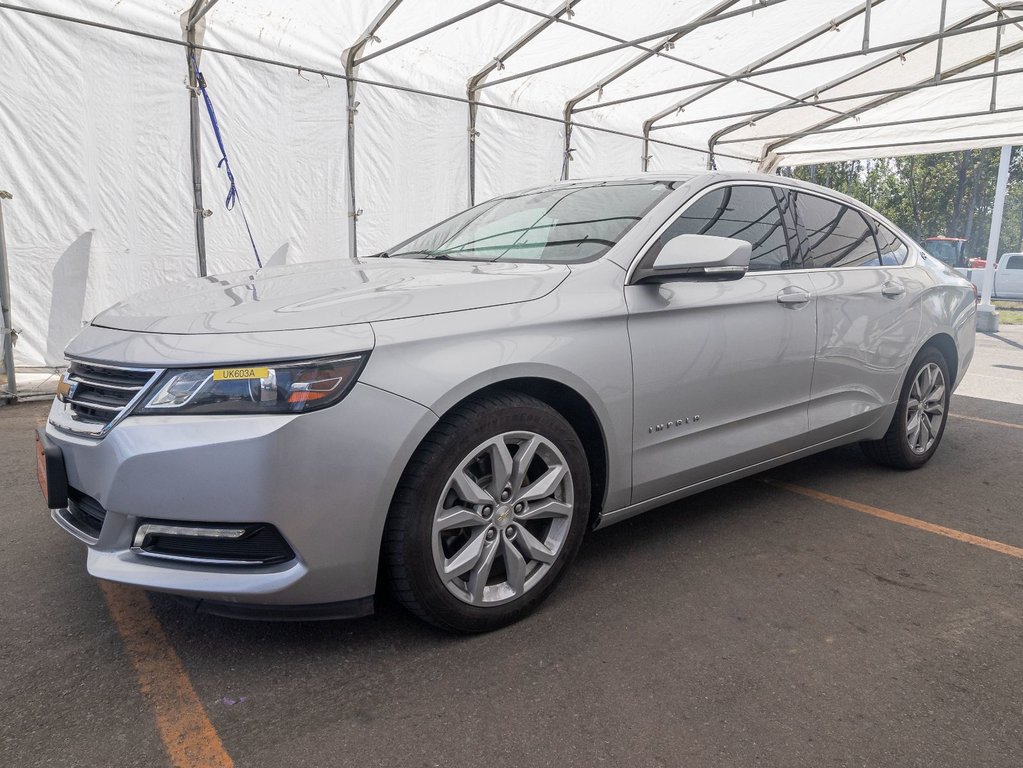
722,369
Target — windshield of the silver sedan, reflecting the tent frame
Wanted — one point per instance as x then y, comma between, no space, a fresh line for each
566,225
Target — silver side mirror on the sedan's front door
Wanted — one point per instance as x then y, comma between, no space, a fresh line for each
699,256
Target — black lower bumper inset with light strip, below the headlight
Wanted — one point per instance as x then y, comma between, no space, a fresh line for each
235,545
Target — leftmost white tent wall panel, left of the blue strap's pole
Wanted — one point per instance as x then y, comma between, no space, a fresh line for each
95,148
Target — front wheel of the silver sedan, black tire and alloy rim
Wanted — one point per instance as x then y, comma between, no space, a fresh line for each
463,494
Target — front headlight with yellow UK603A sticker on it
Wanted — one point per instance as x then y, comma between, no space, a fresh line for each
275,388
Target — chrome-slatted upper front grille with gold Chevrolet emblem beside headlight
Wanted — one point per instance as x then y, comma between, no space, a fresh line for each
97,395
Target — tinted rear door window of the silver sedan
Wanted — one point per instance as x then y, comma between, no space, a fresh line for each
834,236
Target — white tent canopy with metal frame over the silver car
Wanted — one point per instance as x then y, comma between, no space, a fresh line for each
451,101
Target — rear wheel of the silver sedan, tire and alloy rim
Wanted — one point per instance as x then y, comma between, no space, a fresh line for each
904,447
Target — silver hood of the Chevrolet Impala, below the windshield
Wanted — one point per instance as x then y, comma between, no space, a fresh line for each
329,294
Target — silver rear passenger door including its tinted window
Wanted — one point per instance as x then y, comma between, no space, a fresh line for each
868,320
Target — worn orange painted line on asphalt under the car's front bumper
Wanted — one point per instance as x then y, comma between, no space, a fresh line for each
190,738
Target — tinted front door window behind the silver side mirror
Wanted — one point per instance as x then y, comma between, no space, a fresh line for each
747,213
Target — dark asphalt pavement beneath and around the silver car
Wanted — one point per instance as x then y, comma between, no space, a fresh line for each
749,626
